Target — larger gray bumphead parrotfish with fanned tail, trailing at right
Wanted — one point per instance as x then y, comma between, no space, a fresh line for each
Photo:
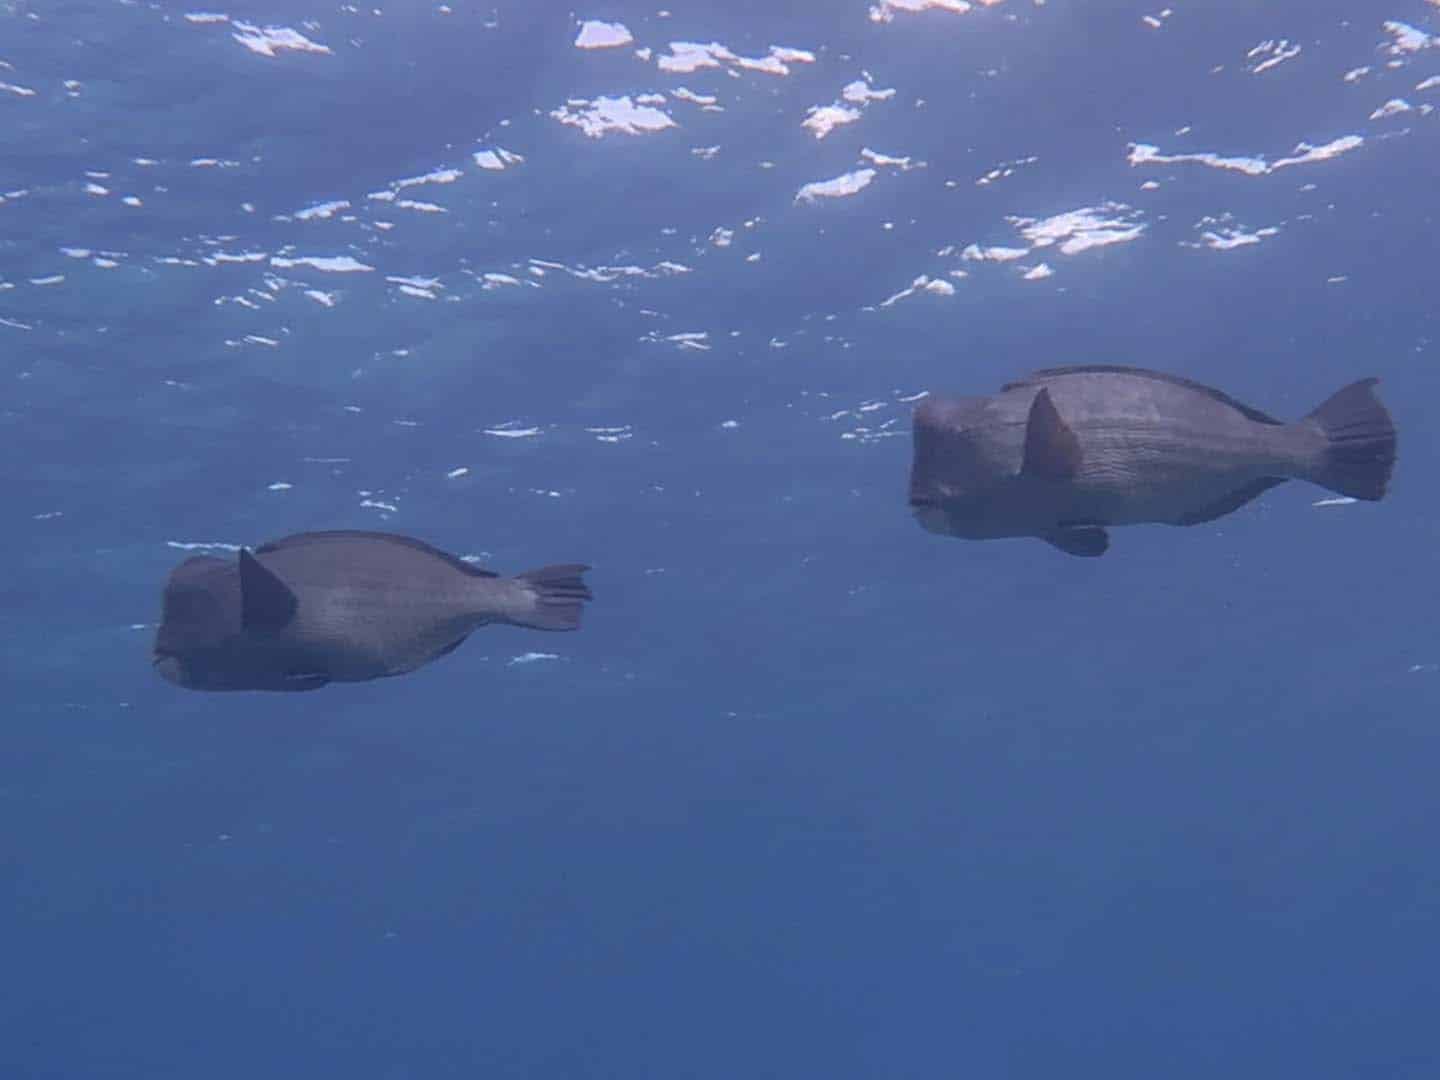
1069,451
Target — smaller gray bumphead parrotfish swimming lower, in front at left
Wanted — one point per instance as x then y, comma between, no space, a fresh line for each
342,607
